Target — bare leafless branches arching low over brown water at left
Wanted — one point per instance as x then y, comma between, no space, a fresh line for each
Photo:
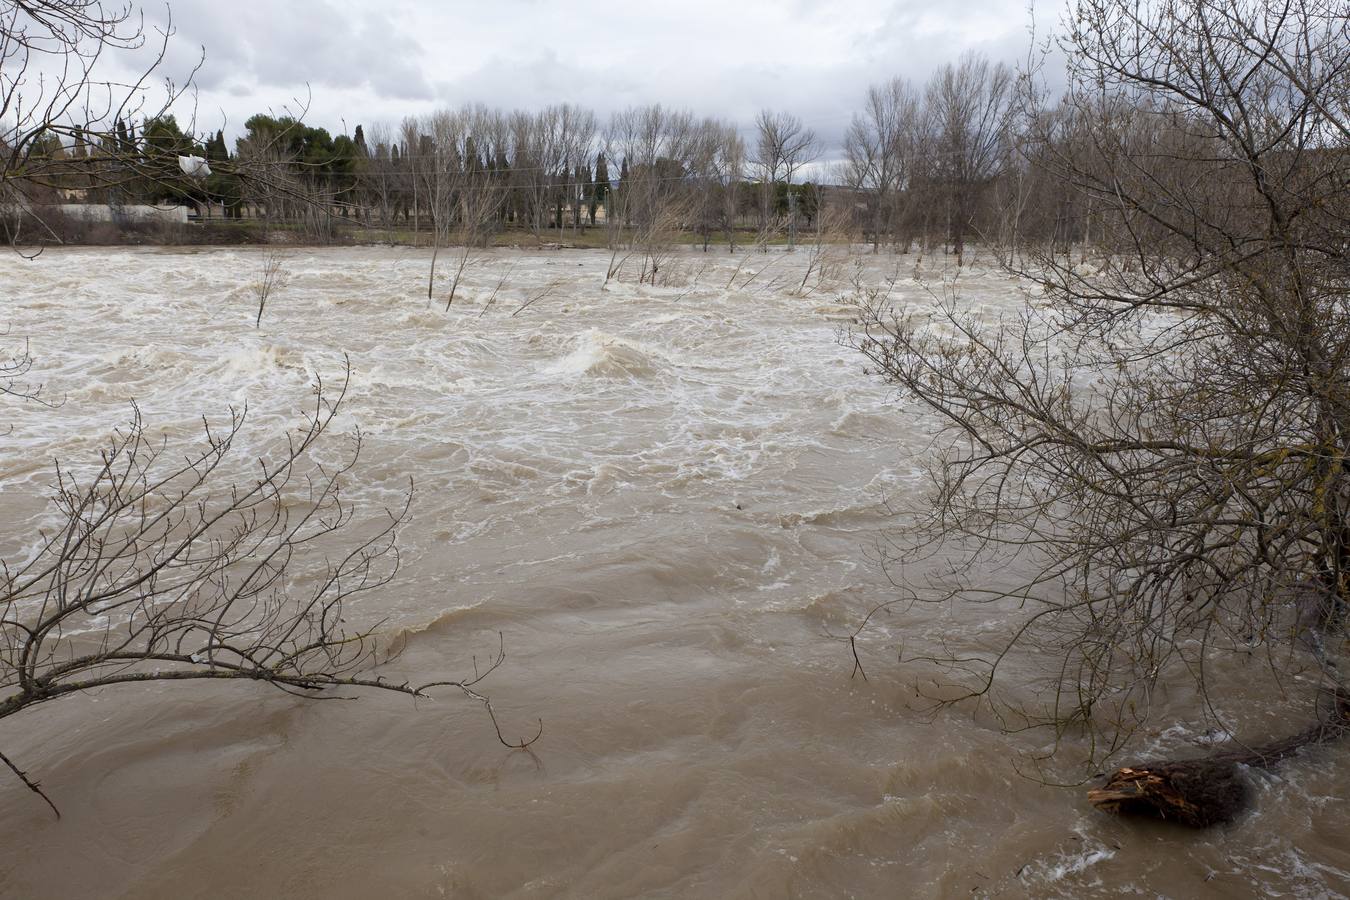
164,569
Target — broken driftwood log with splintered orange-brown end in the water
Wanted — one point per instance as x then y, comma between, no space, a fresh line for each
1210,790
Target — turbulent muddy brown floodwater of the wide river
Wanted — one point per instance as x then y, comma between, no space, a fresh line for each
668,503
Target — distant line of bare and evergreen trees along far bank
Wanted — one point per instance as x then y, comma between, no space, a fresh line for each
961,159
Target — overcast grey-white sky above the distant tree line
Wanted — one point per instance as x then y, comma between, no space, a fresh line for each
367,63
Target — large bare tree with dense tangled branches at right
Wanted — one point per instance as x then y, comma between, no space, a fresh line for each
1160,438
